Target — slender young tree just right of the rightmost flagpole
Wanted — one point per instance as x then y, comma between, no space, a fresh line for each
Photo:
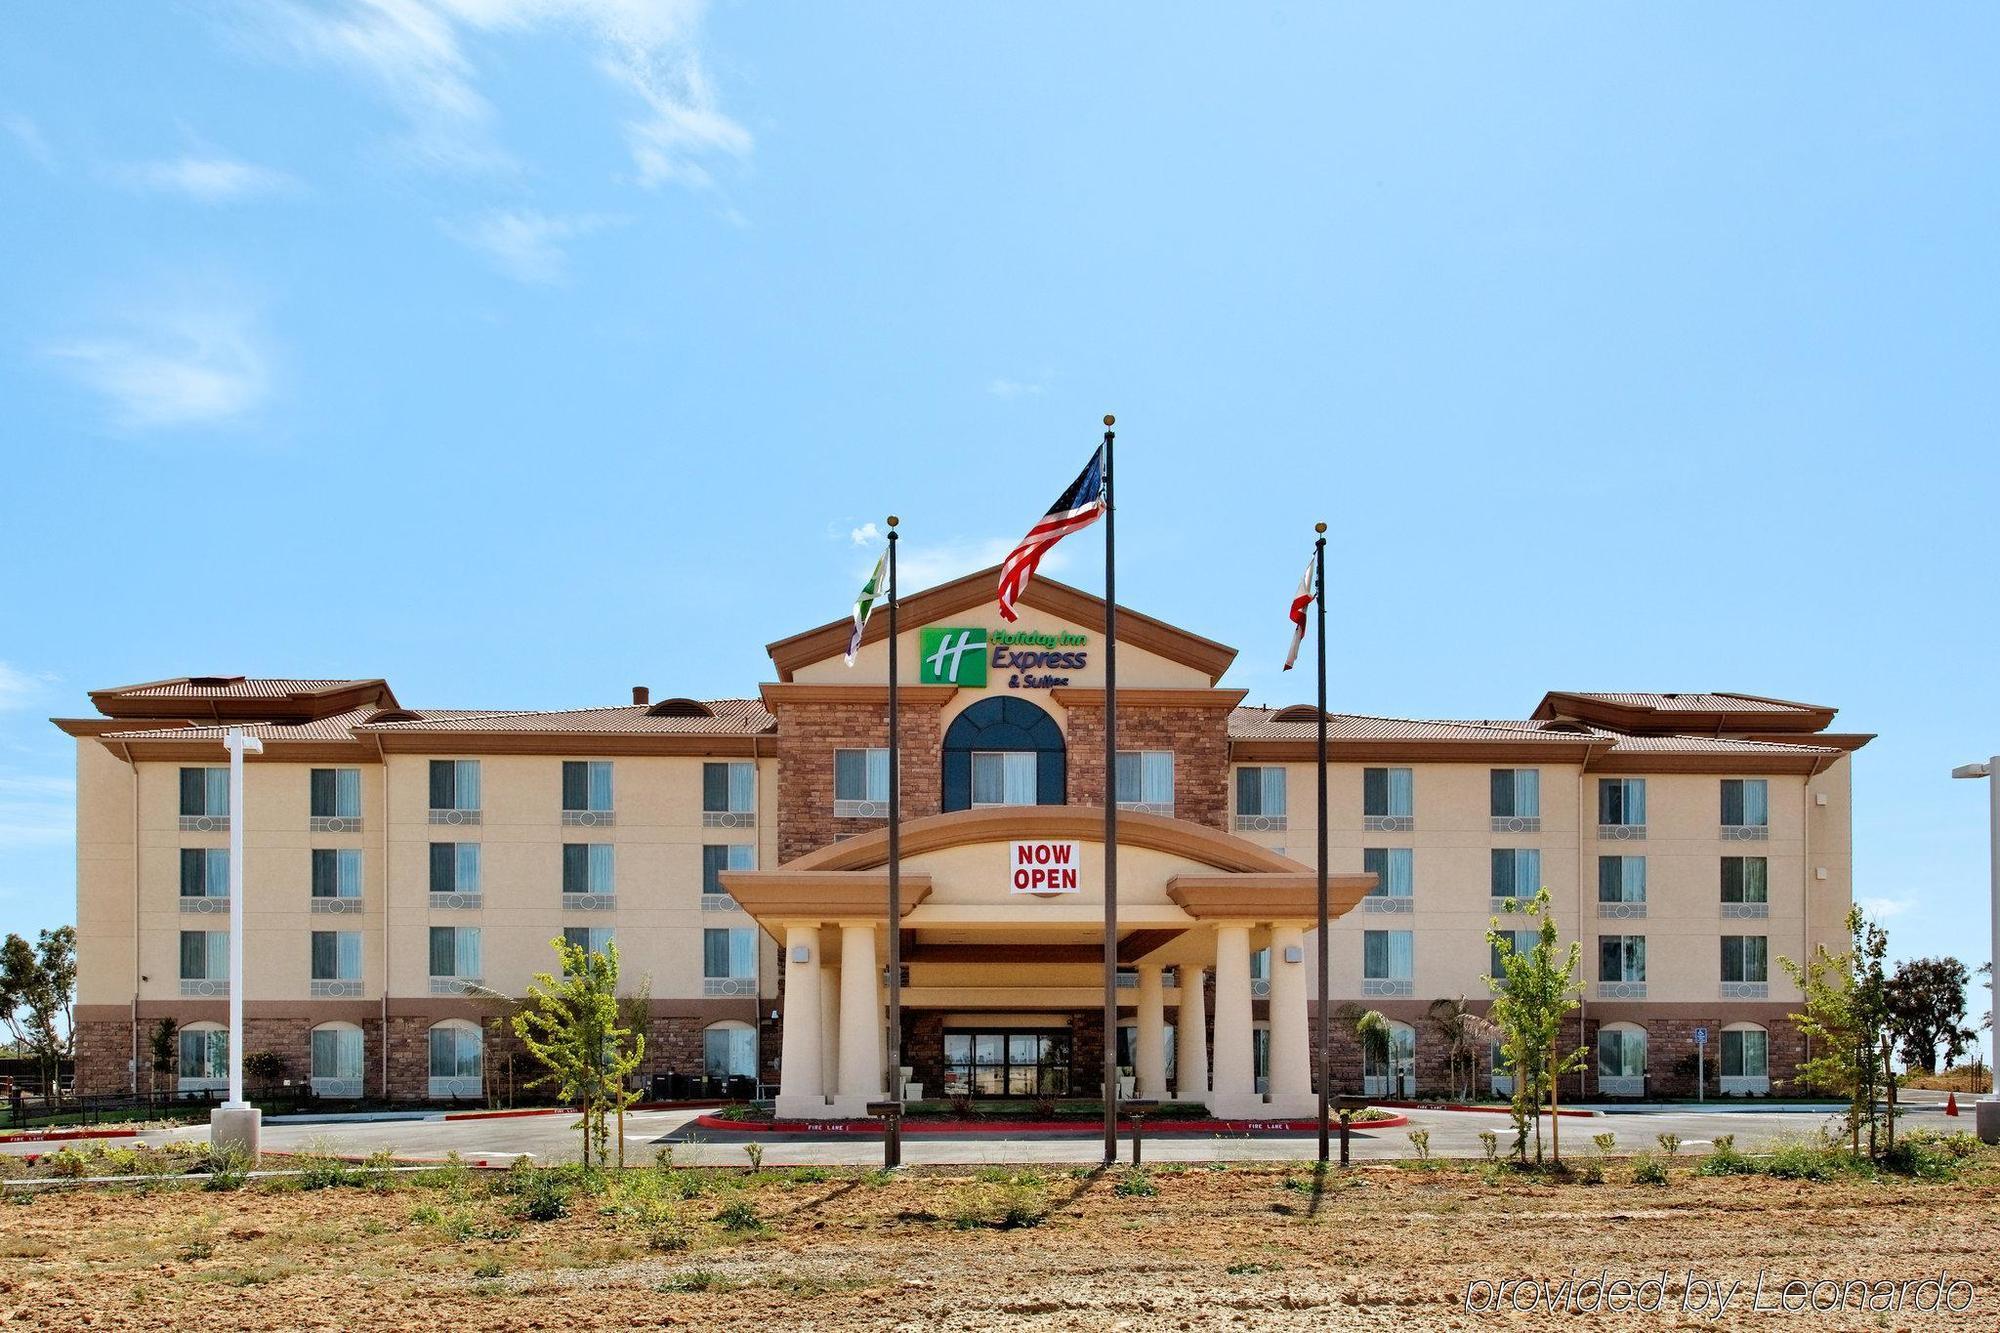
1533,996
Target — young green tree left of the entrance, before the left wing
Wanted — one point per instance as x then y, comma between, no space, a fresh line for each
573,1028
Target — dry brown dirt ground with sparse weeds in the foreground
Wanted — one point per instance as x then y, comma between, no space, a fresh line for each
1241,1248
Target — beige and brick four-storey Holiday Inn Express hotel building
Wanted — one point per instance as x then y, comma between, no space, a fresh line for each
409,868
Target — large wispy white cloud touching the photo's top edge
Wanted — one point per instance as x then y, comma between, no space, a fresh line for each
415,55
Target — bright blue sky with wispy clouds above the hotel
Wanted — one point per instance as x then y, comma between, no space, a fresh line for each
521,351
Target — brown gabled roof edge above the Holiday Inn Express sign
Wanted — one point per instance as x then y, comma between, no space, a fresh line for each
1043,593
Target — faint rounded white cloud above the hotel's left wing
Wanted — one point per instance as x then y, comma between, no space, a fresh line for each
197,361
